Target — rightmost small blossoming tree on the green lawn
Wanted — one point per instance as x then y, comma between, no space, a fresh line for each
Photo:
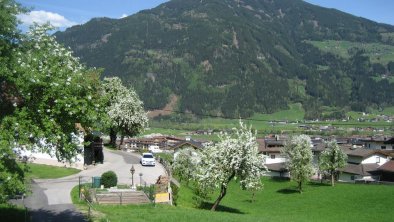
332,159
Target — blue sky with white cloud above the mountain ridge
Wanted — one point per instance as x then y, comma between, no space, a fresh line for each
66,13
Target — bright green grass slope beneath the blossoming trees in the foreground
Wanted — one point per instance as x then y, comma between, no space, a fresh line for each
276,202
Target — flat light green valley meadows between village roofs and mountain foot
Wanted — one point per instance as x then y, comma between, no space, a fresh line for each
271,123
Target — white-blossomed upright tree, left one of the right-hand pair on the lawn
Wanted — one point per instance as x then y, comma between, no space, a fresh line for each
299,159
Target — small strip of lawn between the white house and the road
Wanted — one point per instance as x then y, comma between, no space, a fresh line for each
40,171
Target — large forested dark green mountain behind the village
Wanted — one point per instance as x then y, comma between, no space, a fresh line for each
238,57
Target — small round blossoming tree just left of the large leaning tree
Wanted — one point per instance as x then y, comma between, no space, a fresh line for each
186,163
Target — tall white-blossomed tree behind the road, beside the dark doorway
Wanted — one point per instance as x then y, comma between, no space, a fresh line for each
125,110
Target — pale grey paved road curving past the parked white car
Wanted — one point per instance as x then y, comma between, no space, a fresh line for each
51,199
